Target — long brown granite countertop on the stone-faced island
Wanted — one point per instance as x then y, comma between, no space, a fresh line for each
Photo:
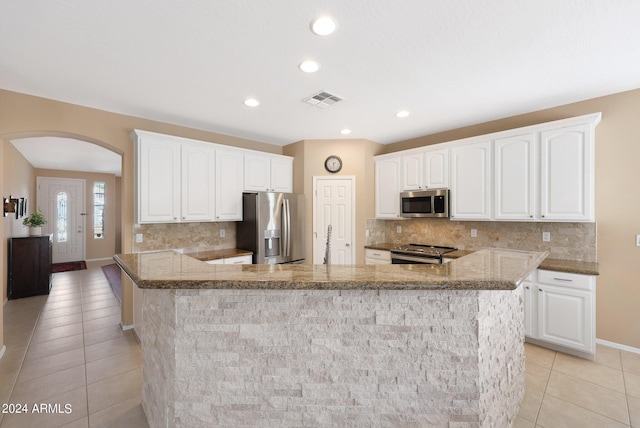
488,269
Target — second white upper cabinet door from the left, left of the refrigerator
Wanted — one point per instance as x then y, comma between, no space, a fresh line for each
197,183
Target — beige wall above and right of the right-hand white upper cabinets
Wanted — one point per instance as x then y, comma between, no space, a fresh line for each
617,202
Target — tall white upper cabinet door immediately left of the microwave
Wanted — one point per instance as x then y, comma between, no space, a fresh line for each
387,187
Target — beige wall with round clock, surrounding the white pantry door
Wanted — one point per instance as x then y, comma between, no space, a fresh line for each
357,158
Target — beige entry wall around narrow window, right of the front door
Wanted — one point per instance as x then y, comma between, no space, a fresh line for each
96,248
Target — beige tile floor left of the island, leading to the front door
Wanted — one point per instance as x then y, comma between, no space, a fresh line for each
76,355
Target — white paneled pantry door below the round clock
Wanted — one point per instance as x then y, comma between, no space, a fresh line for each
333,205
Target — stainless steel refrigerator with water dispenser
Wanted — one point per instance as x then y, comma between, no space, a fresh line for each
272,227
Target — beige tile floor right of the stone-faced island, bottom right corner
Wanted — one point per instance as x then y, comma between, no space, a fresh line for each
565,391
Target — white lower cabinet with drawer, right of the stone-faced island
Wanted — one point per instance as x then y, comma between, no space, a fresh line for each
560,310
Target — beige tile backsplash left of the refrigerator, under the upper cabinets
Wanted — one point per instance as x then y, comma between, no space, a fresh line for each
188,236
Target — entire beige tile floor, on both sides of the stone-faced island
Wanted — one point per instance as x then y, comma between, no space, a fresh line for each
78,355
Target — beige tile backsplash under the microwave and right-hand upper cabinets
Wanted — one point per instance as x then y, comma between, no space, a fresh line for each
569,241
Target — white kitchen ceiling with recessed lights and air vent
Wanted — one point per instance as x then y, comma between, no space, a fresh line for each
451,63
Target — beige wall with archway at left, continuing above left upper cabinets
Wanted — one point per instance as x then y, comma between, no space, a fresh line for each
27,116
